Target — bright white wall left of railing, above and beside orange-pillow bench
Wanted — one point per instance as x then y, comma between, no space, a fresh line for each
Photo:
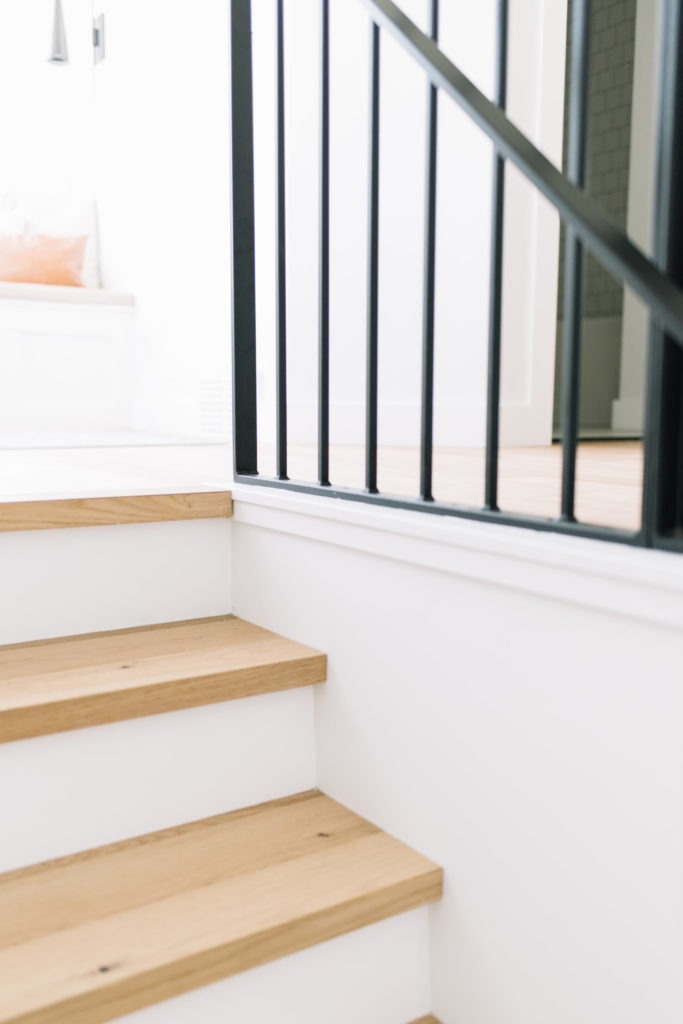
148,133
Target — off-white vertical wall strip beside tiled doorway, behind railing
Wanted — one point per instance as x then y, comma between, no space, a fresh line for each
536,102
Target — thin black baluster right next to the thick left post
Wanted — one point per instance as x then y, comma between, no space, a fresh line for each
281,296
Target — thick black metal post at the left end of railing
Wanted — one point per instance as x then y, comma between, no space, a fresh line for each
244,290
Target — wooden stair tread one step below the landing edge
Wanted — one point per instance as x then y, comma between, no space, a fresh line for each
54,686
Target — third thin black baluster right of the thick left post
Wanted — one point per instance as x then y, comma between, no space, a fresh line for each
373,266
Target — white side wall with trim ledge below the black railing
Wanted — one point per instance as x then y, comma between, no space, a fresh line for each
486,705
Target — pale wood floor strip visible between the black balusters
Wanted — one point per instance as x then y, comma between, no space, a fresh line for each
609,478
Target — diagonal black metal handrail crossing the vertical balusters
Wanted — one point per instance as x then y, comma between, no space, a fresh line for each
599,234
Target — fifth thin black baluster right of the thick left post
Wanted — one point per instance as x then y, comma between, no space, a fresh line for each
496,284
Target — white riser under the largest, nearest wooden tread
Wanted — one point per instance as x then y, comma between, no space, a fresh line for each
377,975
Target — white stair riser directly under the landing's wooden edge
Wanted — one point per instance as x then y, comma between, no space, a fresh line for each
61,582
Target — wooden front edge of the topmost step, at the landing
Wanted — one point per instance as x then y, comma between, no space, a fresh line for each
58,514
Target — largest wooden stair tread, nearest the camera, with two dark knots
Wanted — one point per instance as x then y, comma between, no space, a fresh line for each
88,938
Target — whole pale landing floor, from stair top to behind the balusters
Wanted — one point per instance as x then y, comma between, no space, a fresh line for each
609,489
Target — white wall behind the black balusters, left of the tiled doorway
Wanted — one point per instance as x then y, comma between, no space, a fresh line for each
537,84
